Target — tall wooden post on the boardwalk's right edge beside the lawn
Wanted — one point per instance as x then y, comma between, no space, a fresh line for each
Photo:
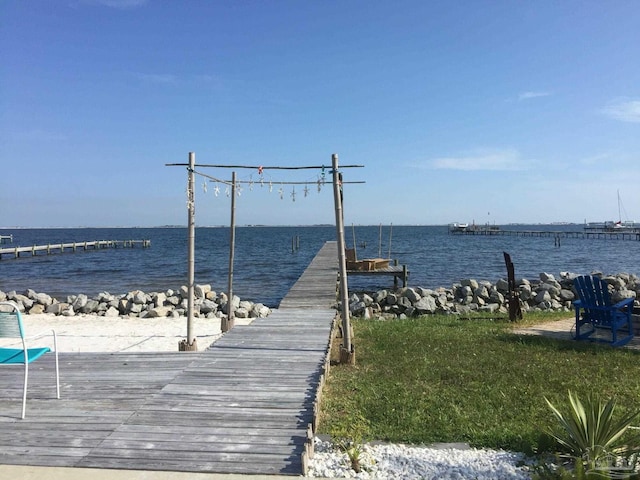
347,354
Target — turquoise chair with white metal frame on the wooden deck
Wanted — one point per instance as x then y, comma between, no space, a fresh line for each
11,327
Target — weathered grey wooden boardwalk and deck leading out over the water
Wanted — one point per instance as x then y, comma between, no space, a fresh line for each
242,406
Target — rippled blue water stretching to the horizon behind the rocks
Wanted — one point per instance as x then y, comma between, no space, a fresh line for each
265,266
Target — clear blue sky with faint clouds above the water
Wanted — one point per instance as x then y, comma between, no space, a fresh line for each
485,111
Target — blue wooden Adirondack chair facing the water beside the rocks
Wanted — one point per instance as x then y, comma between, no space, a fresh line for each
598,312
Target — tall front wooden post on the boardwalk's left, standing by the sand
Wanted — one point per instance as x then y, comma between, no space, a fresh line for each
190,343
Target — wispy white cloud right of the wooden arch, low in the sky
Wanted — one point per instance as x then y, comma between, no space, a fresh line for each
494,160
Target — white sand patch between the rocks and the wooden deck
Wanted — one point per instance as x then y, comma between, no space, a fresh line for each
92,333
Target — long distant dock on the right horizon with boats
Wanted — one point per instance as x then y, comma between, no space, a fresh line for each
587,233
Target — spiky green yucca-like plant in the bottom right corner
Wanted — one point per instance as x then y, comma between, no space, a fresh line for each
594,438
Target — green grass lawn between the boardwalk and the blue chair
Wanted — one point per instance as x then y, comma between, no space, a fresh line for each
447,379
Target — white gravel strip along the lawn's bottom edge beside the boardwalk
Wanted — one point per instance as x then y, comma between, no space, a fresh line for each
409,462
